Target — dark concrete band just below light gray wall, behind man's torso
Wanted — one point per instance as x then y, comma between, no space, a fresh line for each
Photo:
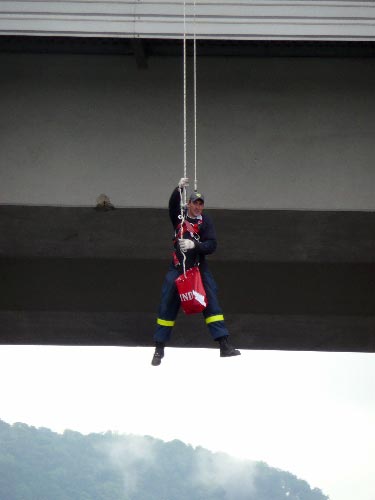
243,235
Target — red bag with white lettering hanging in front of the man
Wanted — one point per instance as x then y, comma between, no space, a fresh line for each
191,291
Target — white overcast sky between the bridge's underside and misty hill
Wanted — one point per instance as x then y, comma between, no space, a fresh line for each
312,414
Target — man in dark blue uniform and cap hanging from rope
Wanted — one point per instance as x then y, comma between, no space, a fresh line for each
199,240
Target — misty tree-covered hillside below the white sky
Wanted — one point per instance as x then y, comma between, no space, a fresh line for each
38,464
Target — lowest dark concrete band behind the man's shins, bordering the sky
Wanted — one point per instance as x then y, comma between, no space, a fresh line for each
248,331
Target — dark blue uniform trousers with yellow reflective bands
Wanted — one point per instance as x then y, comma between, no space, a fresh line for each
170,304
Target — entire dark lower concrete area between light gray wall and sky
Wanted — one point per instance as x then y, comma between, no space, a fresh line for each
287,279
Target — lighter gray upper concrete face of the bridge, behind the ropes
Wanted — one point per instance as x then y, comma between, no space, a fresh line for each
272,133
